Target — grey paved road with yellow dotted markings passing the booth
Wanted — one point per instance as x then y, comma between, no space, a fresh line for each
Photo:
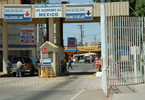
79,84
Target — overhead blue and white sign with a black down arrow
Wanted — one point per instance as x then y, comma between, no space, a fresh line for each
79,13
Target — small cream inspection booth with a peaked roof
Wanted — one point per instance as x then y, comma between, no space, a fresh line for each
56,54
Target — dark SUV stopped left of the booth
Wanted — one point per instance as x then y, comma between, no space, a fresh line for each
31,65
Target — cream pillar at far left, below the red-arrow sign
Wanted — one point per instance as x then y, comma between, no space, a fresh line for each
5,45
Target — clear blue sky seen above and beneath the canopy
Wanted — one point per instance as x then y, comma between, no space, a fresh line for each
90,29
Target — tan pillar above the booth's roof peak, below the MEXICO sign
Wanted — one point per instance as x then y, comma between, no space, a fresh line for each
51,30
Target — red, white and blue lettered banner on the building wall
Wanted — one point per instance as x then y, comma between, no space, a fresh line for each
27,36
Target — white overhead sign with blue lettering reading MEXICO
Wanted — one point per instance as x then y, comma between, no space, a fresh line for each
48,10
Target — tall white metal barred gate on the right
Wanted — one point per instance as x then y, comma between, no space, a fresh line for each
124,38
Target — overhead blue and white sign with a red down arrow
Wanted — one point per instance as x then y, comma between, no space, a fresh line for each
17,13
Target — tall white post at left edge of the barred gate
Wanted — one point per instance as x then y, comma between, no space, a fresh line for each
104,49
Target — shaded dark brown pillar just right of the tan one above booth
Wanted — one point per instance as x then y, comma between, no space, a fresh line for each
58,31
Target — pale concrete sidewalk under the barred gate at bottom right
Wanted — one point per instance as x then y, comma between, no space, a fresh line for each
128,92
